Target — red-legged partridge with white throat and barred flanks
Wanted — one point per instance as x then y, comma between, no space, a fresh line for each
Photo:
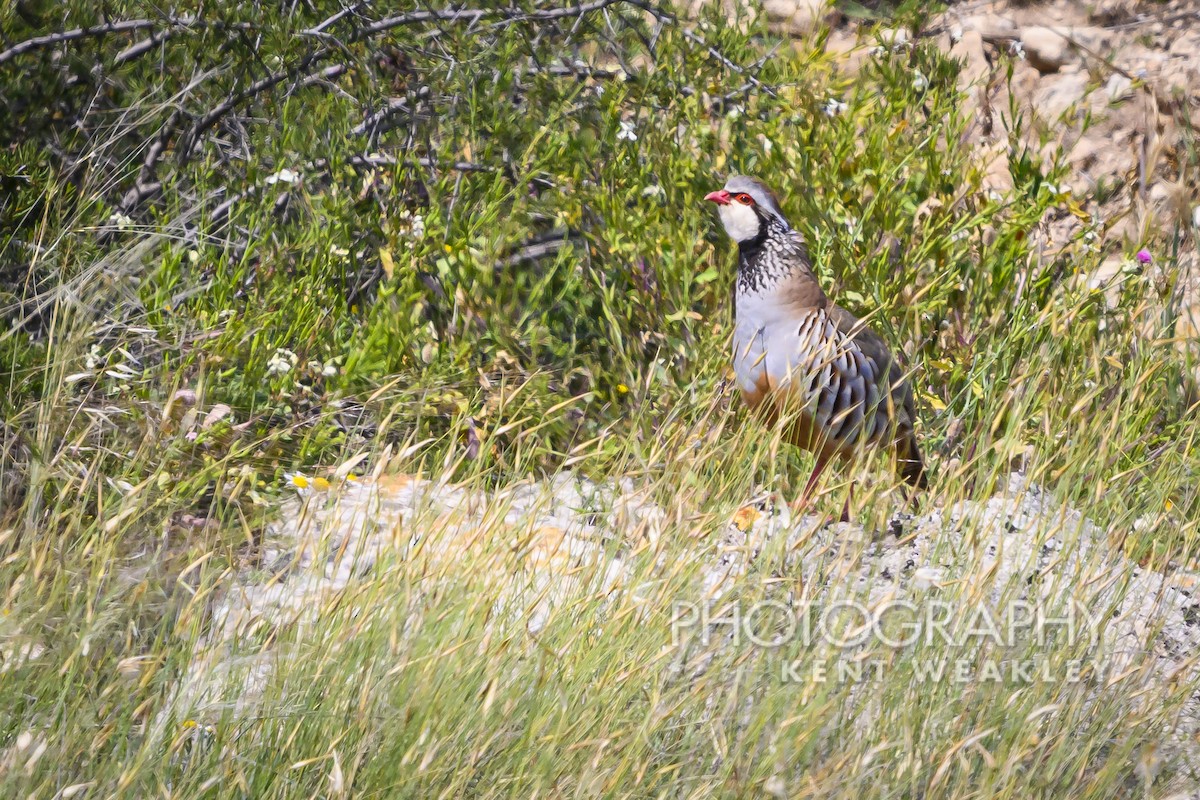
799,356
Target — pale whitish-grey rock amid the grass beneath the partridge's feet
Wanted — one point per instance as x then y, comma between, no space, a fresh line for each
567,531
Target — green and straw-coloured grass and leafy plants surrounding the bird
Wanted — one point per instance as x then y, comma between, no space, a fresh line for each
472,353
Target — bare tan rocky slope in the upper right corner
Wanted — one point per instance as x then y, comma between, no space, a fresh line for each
1108,89
